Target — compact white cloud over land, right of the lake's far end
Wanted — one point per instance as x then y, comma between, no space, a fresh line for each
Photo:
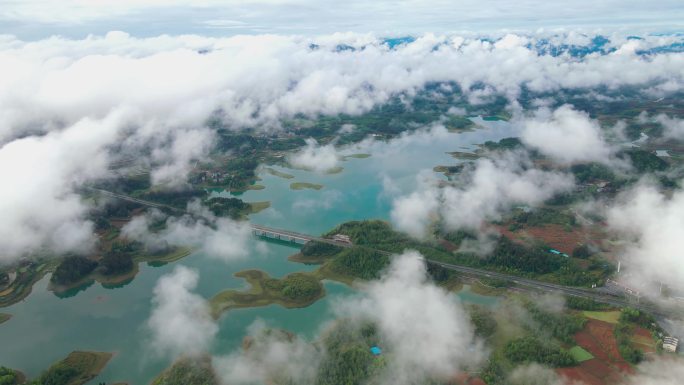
566,135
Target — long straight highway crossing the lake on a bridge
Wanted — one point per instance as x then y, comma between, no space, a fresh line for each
471,271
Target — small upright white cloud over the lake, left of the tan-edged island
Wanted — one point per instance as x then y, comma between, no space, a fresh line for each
180,322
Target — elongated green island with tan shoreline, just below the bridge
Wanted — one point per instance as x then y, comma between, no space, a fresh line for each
292,291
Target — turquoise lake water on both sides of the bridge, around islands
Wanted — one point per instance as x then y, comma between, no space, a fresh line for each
45,328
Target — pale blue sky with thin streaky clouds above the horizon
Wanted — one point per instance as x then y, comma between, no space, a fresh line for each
35,19
